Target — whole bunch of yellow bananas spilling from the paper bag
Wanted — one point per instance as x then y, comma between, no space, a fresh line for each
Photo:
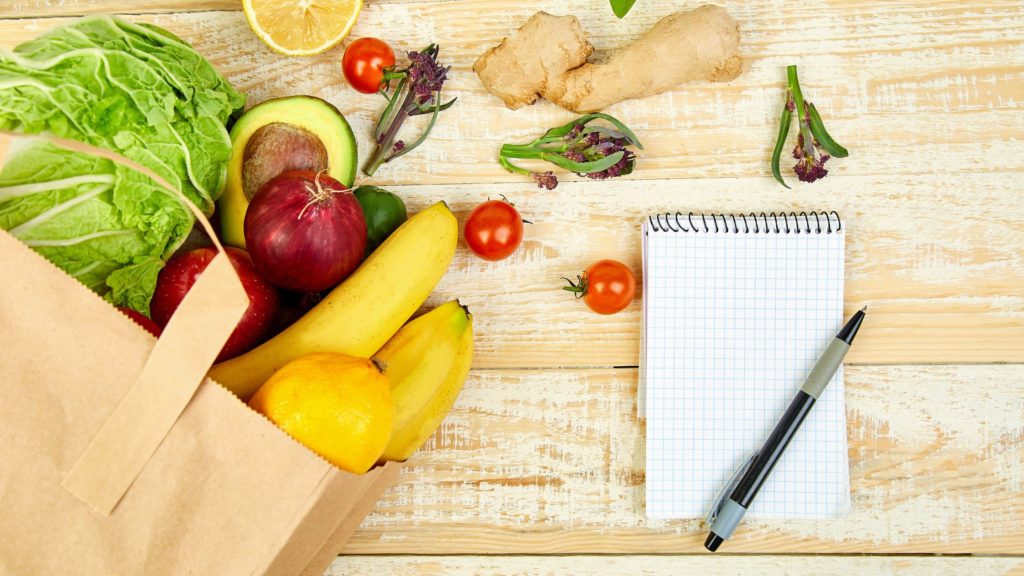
426,361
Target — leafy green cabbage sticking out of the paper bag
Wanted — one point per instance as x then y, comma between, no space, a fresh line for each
136,90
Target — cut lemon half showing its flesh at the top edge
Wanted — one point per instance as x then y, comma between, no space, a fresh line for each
301,28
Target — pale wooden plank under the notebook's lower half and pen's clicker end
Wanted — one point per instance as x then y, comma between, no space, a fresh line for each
547,462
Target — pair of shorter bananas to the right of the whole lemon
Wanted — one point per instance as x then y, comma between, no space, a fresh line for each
426,364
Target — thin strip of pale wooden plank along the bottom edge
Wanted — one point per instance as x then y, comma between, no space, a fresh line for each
660,565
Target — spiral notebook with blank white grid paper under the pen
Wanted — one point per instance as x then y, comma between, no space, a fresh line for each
737,310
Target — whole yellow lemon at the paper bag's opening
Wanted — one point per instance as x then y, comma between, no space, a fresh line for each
336,405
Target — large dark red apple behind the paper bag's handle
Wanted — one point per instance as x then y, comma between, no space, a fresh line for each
181,273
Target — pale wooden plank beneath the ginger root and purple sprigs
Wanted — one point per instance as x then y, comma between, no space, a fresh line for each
911,89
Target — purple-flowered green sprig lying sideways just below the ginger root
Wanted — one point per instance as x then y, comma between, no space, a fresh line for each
593,151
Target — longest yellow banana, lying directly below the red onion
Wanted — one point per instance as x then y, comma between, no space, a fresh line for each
359,316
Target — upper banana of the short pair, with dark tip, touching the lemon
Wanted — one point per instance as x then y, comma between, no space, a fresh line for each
420,356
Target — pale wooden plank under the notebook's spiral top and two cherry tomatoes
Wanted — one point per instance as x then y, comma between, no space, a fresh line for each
936,258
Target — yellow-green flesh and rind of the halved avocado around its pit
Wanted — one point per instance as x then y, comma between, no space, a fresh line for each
311,114
